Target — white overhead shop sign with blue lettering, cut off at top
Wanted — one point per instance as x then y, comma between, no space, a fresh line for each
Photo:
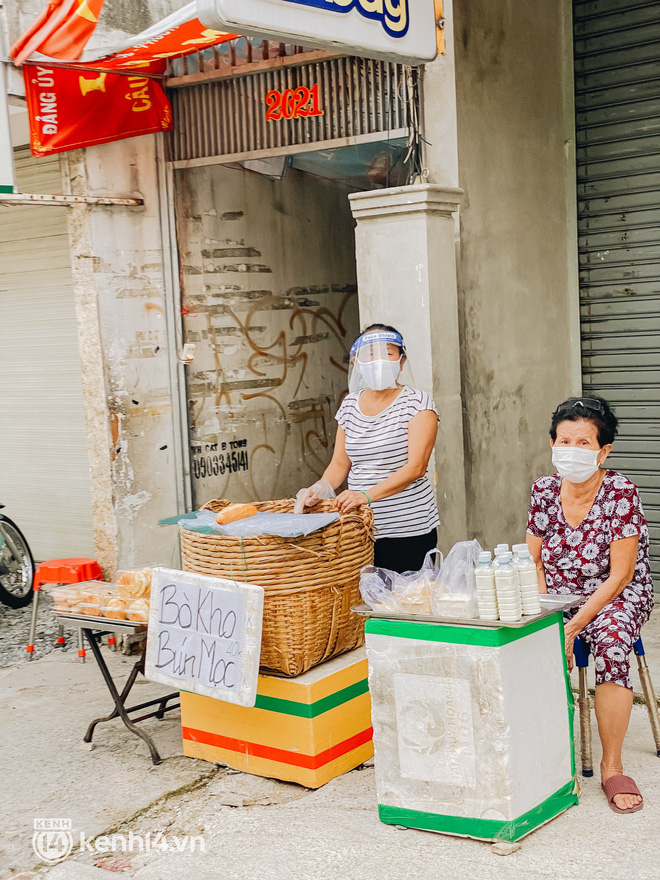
395,30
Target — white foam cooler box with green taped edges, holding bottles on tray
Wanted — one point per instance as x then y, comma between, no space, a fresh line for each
473,727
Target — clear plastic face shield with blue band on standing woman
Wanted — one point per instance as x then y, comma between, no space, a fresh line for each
377,358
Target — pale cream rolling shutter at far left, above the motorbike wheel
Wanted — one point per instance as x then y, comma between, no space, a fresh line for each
44,472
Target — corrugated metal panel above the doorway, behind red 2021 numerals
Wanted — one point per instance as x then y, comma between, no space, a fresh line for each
360,100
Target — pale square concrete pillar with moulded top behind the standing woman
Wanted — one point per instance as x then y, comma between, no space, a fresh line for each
406,268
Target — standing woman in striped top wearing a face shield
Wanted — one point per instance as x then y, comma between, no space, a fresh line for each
385,437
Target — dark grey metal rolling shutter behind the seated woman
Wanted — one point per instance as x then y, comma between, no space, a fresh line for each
617,89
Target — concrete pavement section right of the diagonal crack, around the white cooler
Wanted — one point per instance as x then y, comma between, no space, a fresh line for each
334,834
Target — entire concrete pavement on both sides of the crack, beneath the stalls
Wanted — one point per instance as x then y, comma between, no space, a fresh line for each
262,828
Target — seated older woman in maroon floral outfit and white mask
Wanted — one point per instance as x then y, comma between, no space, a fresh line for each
587,534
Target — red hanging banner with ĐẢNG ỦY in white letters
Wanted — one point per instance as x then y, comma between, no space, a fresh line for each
69,109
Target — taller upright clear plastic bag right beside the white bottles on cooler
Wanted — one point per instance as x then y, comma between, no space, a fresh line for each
454,592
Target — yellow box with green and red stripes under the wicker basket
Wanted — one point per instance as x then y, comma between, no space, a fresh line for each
308,729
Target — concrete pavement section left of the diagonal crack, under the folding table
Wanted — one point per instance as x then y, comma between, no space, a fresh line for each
45,708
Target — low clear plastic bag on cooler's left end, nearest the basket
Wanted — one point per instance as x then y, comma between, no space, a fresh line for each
407,593
